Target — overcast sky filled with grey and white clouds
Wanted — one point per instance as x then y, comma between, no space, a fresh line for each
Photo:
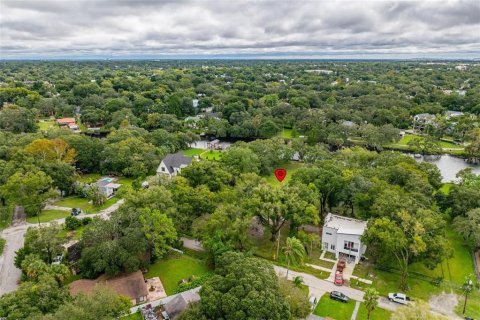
148,28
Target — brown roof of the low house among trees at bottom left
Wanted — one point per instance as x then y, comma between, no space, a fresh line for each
132,286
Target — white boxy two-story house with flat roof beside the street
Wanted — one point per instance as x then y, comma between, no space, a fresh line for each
342,236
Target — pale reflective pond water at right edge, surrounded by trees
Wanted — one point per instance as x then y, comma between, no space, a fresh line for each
449,165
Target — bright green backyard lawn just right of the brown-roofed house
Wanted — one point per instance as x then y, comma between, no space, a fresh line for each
175,268
